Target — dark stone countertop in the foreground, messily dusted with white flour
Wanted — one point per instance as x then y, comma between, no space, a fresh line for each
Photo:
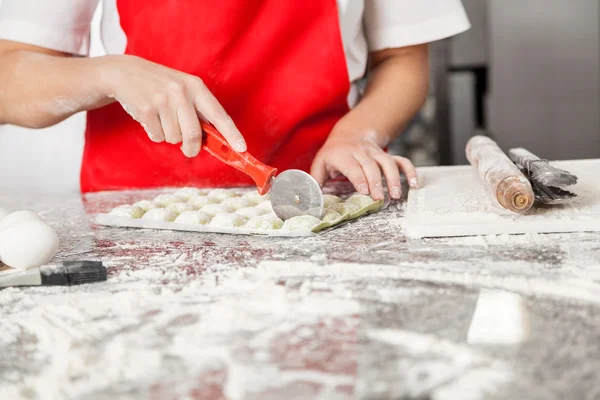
357,312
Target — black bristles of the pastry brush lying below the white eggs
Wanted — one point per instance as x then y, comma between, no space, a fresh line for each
72,273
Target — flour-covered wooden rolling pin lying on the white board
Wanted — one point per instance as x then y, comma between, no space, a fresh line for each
501,177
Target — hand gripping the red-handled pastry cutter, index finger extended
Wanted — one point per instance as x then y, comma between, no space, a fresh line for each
167,103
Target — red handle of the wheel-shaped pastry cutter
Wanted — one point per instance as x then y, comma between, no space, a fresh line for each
216,145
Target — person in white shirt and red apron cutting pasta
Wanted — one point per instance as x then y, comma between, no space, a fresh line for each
277,78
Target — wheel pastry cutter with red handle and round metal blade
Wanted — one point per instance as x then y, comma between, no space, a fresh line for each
293,192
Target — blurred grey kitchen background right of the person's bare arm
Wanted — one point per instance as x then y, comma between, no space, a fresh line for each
532,70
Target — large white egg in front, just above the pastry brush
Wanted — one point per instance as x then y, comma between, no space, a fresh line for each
28,244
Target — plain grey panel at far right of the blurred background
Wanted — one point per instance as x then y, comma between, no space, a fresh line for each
545,76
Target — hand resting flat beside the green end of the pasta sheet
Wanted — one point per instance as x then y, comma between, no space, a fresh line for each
360,158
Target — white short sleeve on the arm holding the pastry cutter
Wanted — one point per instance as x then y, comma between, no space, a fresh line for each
62,25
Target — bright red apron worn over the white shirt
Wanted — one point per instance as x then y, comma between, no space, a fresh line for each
278,68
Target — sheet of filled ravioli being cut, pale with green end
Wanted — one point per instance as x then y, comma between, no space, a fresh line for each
232,211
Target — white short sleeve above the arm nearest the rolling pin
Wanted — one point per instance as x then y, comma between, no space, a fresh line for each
399,23
